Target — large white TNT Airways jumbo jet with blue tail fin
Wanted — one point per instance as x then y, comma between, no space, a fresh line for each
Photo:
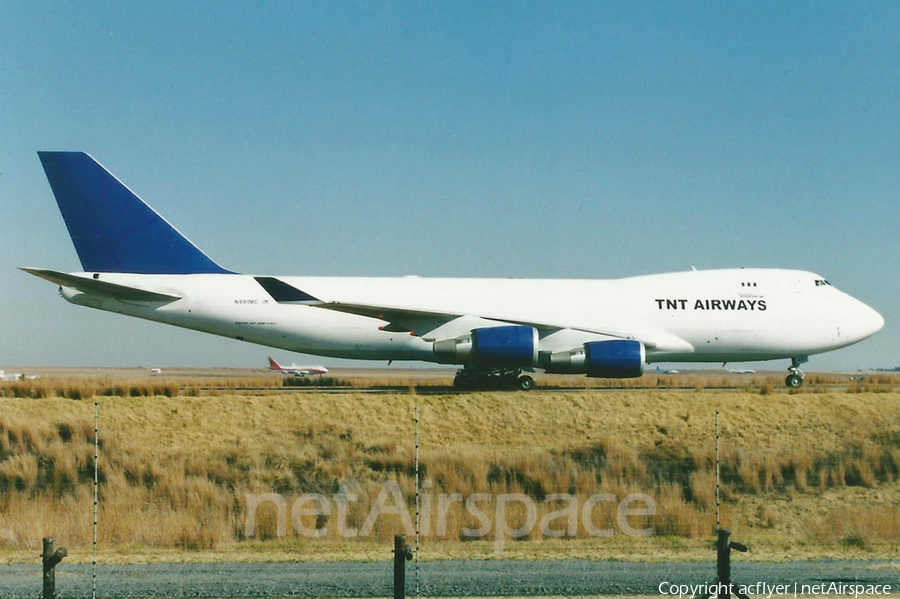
136,263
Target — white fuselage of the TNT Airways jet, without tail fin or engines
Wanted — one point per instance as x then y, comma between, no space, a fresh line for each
696,316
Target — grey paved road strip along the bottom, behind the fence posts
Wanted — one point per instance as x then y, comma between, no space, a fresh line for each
445,579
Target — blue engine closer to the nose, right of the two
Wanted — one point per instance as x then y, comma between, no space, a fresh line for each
616,358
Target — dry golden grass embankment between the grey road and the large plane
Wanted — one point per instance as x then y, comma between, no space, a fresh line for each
812,474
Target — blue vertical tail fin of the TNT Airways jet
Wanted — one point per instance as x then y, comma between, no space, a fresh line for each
112,228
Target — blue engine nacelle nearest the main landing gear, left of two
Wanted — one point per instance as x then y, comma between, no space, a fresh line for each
511,345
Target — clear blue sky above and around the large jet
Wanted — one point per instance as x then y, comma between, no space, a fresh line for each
518,139
